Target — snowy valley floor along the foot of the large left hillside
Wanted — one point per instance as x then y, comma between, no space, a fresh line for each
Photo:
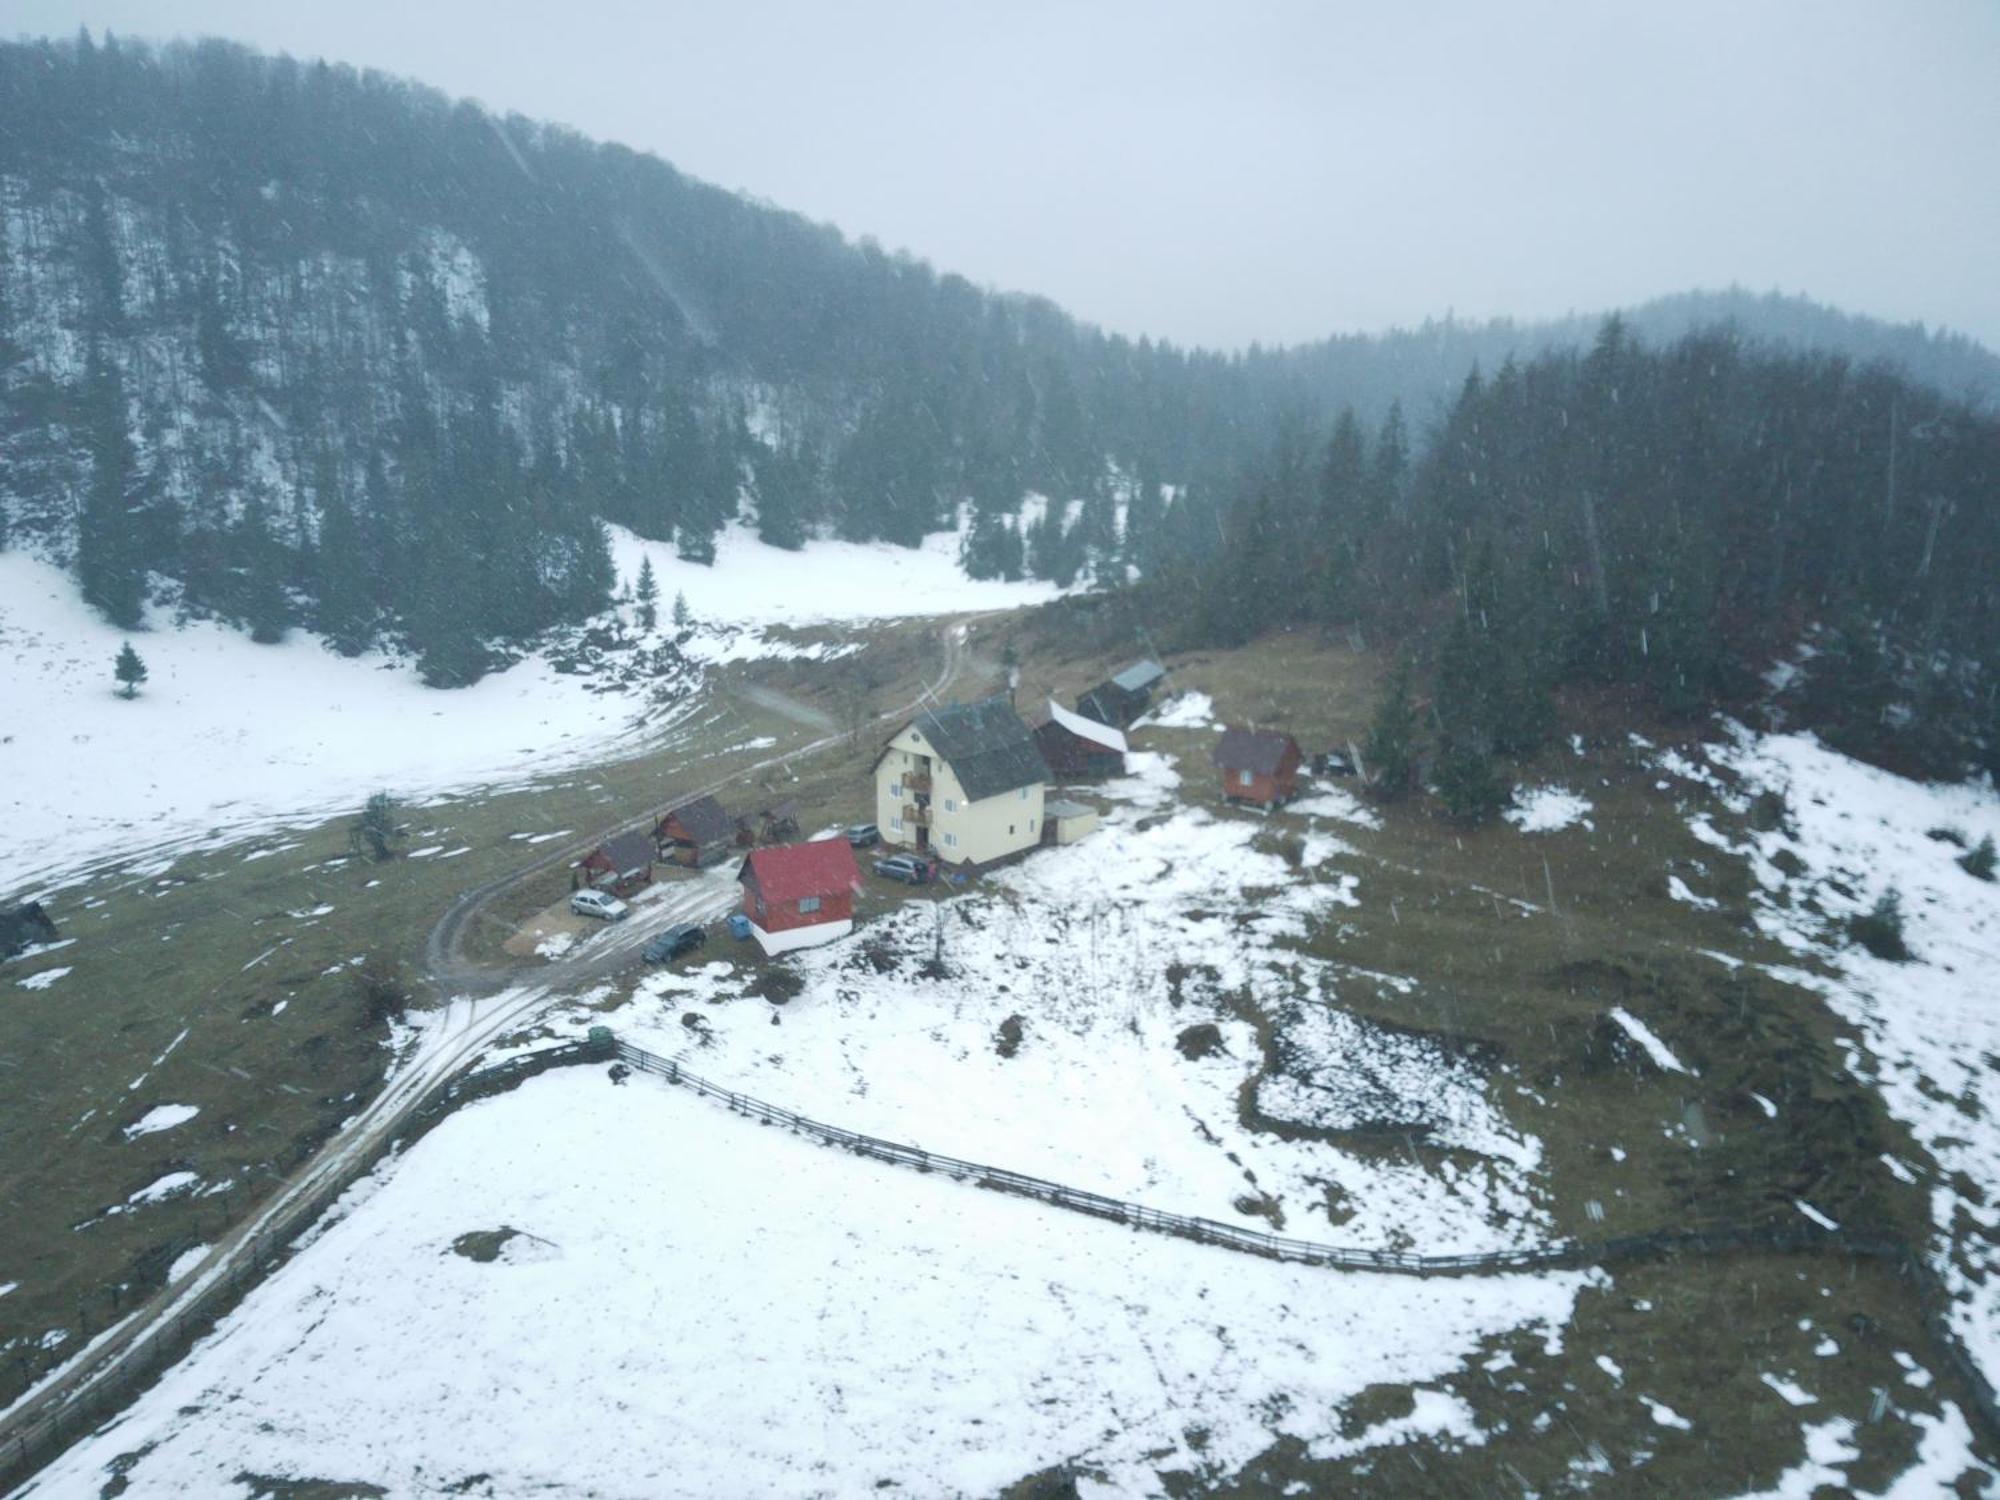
229,739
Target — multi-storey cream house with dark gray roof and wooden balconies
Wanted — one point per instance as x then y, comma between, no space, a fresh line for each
963,785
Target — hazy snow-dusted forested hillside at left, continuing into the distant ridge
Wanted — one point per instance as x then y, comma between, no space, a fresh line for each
301,345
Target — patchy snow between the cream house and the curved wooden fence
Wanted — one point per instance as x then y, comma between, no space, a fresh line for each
1109,957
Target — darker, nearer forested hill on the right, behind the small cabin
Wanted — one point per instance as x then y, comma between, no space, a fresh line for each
1655,519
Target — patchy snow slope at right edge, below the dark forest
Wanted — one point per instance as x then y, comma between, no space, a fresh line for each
1931,1025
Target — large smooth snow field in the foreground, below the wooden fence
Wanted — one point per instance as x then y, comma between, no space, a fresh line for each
697,1307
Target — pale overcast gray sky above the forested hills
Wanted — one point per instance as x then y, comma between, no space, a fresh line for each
1275,173
